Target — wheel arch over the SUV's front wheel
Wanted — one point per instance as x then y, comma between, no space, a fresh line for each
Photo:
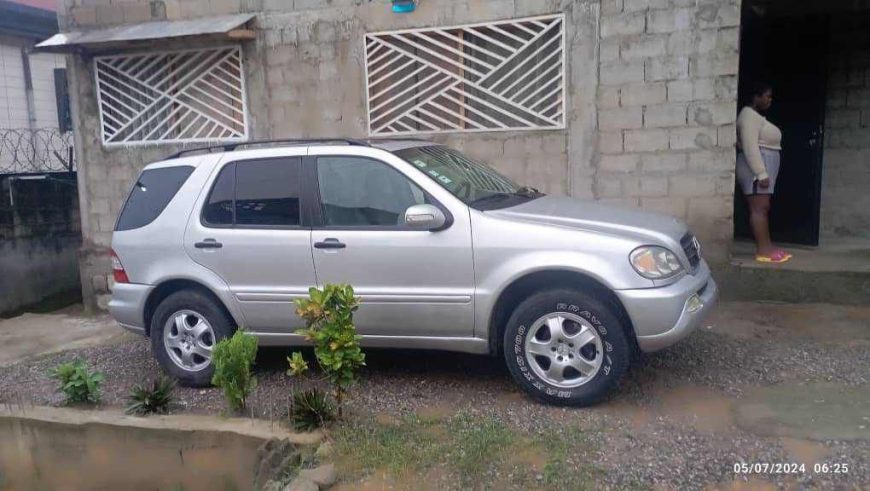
525,285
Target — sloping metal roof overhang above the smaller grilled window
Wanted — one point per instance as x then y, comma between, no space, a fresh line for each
220,27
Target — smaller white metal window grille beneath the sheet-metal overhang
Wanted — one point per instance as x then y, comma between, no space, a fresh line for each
172,96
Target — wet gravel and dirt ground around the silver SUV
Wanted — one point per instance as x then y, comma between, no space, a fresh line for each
760,384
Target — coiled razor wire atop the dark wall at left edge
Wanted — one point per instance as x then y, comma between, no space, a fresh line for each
36,151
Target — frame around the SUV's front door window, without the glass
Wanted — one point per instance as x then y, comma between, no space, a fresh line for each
318,221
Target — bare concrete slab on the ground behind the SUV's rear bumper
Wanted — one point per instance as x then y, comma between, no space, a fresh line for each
30,335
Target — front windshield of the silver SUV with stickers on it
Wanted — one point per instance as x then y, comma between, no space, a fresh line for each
475,183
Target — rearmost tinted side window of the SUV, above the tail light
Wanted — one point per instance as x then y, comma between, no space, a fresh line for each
154,189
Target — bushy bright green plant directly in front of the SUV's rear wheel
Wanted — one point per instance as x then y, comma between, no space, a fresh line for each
233,358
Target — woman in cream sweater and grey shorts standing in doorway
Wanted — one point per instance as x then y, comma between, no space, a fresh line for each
758,143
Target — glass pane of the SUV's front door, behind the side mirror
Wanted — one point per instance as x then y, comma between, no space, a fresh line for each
361,192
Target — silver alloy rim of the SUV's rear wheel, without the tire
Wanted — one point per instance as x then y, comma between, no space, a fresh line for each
189,340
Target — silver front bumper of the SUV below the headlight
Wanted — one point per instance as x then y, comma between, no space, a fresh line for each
663,316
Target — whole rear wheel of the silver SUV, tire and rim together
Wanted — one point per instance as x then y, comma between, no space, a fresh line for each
184,330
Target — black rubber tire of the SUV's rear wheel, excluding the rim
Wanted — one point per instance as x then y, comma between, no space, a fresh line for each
222,326
